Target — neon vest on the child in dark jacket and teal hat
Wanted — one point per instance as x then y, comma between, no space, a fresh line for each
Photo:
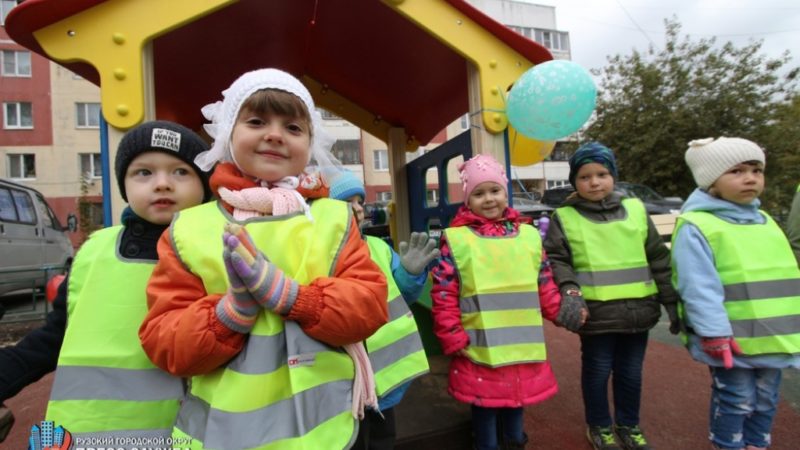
609,257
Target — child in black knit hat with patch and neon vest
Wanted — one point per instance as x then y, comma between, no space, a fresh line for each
105,388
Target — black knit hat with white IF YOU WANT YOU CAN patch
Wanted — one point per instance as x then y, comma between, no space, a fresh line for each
160,136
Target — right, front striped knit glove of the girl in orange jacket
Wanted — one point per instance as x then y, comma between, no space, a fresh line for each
263,280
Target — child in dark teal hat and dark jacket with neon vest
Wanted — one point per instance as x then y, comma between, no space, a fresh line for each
607,256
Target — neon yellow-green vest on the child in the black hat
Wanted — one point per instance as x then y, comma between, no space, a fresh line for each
105,386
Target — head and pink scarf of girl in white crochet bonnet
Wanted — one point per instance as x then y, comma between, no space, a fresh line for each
267,126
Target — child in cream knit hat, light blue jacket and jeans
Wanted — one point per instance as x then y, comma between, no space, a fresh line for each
740,287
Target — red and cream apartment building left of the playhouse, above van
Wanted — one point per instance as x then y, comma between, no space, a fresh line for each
49,137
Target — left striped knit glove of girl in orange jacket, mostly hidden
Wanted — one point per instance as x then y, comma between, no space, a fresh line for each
237,309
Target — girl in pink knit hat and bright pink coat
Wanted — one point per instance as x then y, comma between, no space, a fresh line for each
488,290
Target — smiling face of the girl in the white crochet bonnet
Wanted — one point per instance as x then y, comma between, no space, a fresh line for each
270,146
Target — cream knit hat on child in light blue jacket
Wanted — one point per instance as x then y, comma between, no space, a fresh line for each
708,158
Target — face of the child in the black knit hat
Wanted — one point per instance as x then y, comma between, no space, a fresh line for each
159,185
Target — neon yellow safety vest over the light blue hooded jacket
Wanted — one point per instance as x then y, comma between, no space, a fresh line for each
761,280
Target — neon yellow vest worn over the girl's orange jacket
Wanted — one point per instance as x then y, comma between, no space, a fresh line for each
284,389
